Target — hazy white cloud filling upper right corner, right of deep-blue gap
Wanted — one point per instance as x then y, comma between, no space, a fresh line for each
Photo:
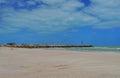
107,11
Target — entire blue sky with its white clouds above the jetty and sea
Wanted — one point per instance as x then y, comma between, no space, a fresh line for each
95,22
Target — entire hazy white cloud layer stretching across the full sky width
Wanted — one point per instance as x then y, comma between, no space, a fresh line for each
100,14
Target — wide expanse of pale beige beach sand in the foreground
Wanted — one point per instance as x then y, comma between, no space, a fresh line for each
39,63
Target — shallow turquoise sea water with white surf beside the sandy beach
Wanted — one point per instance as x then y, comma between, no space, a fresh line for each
95,49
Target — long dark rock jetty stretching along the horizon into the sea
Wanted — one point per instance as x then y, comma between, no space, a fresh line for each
42,46
